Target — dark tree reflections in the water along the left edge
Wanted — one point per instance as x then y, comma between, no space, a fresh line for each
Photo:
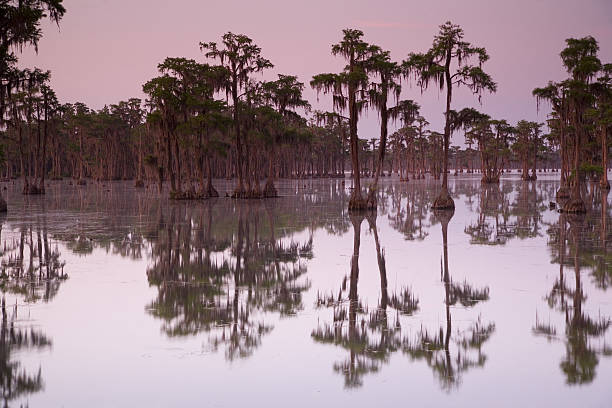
32,270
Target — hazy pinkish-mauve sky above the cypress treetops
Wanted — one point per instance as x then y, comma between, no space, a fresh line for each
104,50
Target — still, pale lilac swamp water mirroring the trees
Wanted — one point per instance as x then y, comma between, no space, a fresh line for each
117,298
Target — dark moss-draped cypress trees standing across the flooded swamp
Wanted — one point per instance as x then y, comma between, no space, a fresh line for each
213,118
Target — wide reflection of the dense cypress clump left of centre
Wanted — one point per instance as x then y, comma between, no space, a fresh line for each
225,284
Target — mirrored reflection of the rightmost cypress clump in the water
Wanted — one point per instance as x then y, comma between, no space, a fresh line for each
579,242
